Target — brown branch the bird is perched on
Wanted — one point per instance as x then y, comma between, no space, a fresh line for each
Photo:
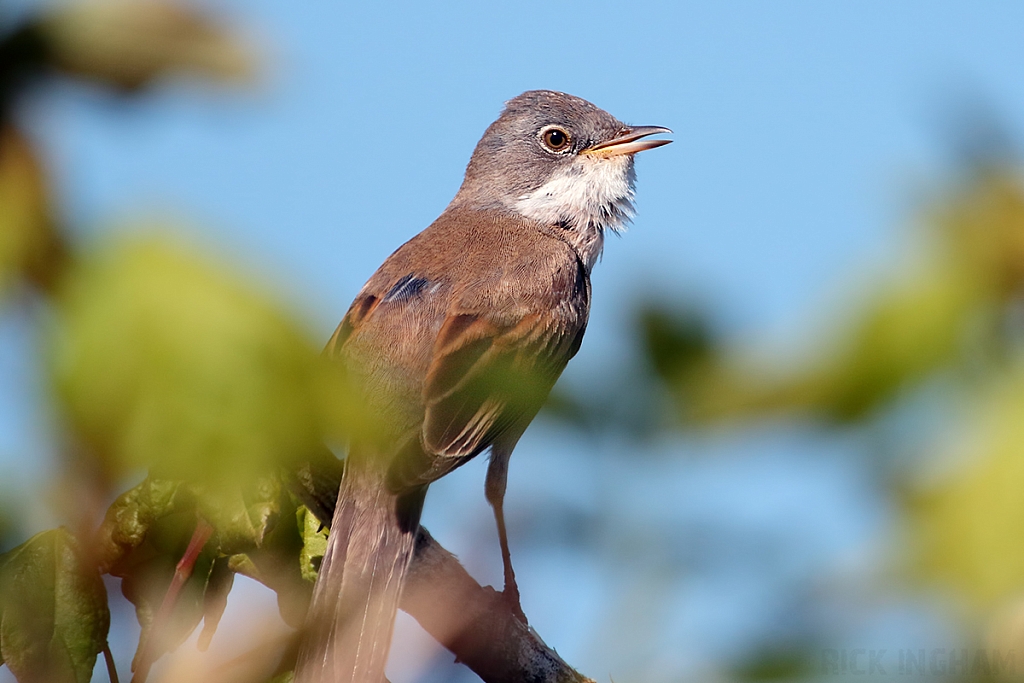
474,622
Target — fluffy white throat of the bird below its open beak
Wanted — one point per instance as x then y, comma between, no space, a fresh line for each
589,197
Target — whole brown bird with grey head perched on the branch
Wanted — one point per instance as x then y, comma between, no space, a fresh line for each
455,344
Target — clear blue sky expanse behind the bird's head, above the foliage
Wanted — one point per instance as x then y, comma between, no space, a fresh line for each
802,134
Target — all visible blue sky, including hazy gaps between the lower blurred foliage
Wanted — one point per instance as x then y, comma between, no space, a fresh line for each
806,133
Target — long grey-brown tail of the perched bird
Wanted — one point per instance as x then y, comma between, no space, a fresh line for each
352,618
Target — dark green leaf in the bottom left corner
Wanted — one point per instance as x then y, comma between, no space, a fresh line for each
54,614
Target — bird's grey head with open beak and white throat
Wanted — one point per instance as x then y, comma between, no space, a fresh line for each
561,161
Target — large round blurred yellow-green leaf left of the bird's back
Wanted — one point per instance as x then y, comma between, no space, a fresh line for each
165,362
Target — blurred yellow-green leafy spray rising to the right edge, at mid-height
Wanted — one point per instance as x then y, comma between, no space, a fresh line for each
945,312
